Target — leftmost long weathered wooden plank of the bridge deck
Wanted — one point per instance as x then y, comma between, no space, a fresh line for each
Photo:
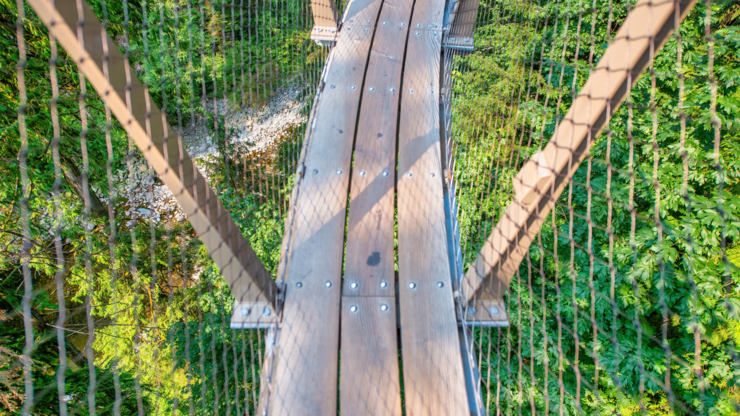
304,379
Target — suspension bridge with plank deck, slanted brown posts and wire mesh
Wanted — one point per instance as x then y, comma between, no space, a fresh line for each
373,309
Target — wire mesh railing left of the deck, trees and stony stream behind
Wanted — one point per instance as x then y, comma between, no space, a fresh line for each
109,302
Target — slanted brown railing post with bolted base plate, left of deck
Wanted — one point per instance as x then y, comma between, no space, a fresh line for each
109,73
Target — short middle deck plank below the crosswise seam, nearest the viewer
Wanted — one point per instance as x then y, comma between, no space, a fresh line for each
369,381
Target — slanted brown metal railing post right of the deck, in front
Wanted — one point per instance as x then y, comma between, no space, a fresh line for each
543,177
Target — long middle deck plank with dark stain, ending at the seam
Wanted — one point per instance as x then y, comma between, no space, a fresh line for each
370,262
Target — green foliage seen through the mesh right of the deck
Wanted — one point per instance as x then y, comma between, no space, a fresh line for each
672,252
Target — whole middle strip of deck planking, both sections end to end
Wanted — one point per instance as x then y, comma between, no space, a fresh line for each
370,382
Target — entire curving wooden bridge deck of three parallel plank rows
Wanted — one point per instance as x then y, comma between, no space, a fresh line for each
378,110
